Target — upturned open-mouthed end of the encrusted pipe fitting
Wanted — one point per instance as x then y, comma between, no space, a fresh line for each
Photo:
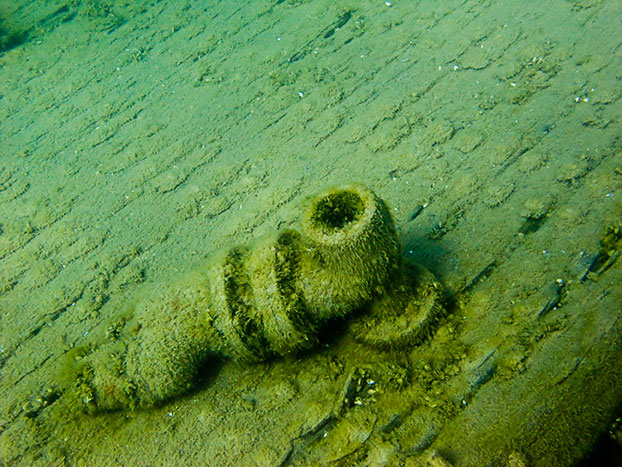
352,250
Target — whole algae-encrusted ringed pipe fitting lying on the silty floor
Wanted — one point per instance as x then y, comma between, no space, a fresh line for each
262,300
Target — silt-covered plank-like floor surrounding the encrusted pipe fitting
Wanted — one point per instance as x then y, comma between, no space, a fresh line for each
136,139
